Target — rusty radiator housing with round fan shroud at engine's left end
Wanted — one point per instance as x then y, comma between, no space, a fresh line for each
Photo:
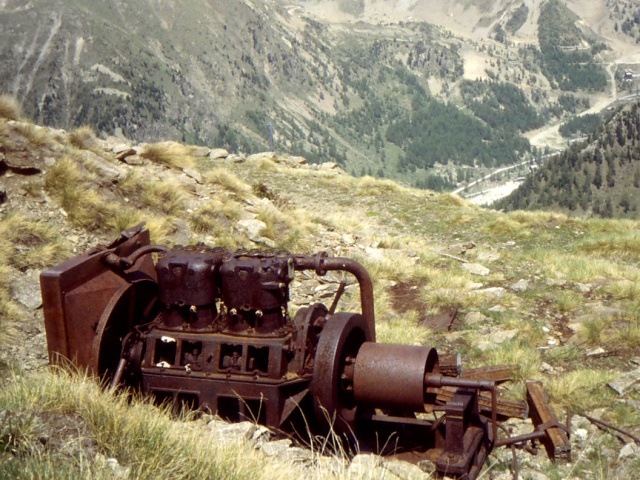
89,306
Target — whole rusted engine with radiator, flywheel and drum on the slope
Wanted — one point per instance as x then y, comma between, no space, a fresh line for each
211,329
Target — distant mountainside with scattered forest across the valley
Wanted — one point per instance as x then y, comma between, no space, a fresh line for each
332,80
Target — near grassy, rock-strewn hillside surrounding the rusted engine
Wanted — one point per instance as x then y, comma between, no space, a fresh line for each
556,295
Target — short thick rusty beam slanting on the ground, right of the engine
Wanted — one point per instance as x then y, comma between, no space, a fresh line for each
555,439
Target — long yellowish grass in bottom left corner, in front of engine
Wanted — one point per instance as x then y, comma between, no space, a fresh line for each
144,439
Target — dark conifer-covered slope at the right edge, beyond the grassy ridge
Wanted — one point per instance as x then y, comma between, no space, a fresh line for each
598,177
